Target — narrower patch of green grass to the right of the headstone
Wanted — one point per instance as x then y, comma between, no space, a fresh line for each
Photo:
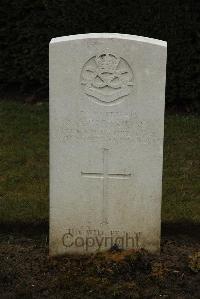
181,177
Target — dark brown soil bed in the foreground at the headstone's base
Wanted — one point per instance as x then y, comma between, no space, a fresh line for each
26,270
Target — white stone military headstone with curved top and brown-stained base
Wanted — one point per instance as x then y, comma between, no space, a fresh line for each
107,95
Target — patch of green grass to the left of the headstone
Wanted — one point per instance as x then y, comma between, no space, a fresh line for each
24,162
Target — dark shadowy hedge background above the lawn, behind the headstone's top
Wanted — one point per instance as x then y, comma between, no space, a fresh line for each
27,27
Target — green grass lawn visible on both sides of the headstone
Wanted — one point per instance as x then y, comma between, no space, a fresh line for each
24,165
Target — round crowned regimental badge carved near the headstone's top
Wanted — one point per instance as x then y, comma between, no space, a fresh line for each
107,78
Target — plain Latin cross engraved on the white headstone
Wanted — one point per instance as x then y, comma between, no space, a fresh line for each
105,176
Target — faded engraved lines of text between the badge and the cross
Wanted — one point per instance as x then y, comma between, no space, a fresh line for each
108,126
